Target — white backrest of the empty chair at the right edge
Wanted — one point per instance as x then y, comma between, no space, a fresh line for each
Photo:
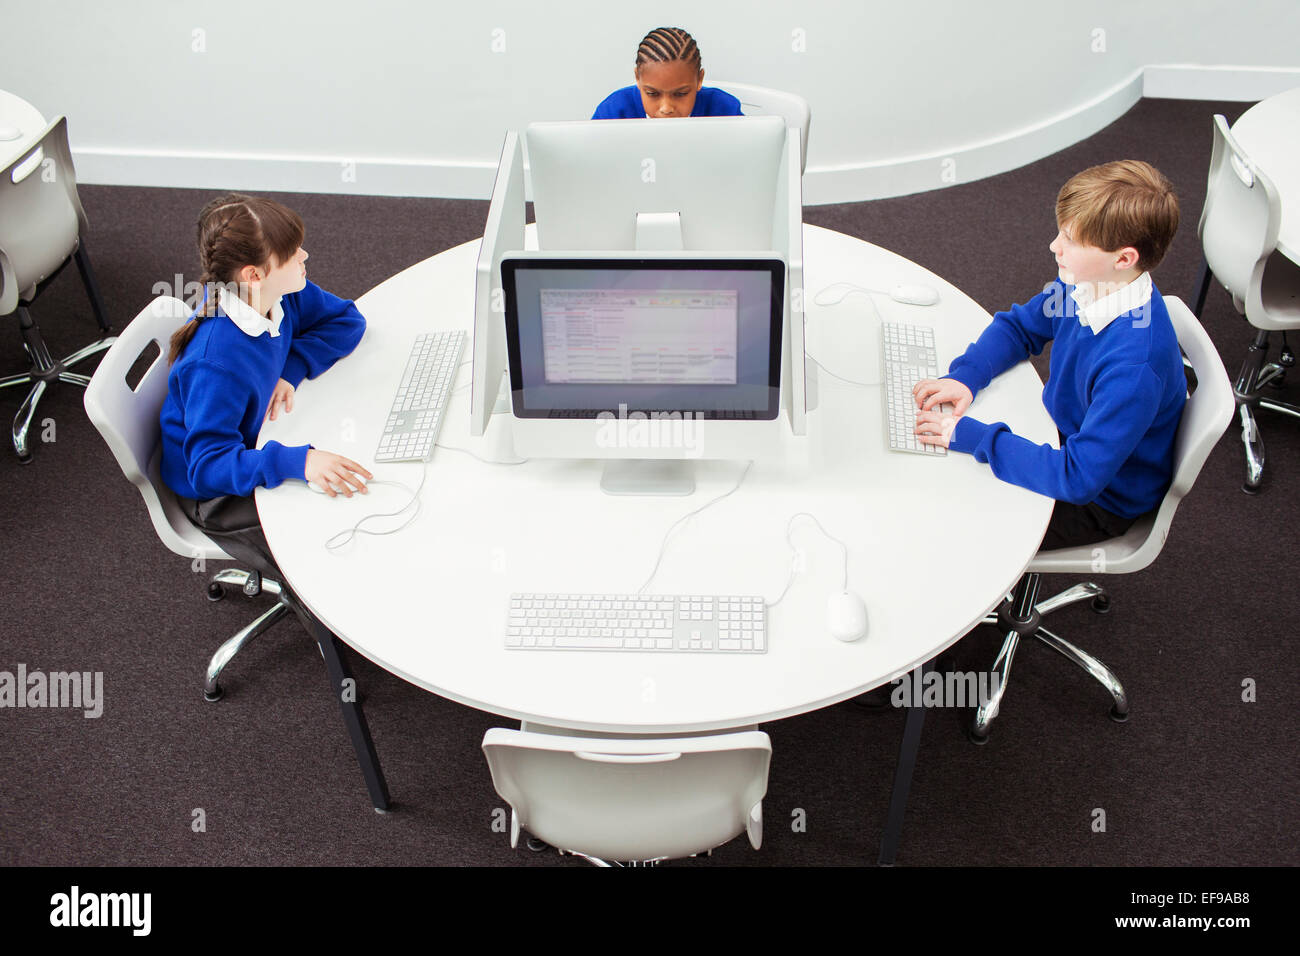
1240,220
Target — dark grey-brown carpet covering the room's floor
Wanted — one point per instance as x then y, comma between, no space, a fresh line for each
1195,777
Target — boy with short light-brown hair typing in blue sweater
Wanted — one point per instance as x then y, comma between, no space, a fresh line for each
1116,388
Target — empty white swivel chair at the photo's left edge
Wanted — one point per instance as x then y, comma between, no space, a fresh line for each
42,228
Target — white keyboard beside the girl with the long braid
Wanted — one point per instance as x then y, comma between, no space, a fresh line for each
417,413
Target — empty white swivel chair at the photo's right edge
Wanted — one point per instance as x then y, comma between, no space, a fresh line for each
1240,235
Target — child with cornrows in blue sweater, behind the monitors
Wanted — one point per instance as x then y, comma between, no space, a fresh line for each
670,83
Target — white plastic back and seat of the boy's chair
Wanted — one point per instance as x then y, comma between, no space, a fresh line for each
1206,417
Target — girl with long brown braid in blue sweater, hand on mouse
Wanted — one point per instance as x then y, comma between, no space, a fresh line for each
259,331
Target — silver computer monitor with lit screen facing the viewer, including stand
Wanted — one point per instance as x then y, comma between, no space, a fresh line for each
647,360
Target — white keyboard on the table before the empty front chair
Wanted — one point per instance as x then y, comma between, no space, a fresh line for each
638,622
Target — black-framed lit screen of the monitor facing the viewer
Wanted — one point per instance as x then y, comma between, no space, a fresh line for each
591,336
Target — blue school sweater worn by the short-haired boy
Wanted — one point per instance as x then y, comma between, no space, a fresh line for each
1116,397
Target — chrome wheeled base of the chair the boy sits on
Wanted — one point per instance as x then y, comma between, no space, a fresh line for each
1021,616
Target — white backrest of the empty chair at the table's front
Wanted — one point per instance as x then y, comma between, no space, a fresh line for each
629,799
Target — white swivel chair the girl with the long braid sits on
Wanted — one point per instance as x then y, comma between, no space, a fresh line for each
129,422
